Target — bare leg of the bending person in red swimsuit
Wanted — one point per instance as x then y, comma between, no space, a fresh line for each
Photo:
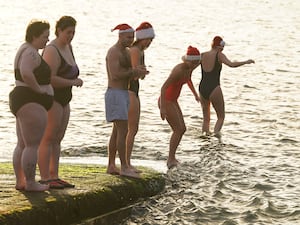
175,120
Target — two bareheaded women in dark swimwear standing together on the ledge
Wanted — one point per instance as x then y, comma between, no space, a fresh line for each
40,102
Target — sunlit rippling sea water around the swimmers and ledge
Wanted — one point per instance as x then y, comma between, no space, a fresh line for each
253,177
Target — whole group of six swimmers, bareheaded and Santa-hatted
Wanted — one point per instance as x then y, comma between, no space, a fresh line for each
40,99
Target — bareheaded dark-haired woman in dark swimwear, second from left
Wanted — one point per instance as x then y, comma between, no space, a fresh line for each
64,75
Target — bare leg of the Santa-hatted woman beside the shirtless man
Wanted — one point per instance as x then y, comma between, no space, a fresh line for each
133,124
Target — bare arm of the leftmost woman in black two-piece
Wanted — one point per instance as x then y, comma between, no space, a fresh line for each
28,62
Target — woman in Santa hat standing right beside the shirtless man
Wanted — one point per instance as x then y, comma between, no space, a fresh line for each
144,35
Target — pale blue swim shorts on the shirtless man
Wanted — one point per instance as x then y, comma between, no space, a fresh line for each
116,104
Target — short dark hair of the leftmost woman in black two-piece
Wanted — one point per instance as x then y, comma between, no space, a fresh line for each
35,28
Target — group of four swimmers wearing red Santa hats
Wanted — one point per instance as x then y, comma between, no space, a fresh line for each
126,65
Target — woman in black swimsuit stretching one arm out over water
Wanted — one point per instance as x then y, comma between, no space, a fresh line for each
209,88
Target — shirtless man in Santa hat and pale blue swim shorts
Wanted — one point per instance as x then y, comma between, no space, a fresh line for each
119,72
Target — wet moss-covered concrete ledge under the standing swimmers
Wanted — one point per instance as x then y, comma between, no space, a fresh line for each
98,198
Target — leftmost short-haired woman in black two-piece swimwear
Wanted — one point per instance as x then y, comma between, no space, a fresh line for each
29,101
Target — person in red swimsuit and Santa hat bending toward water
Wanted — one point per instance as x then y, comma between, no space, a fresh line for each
168,104
